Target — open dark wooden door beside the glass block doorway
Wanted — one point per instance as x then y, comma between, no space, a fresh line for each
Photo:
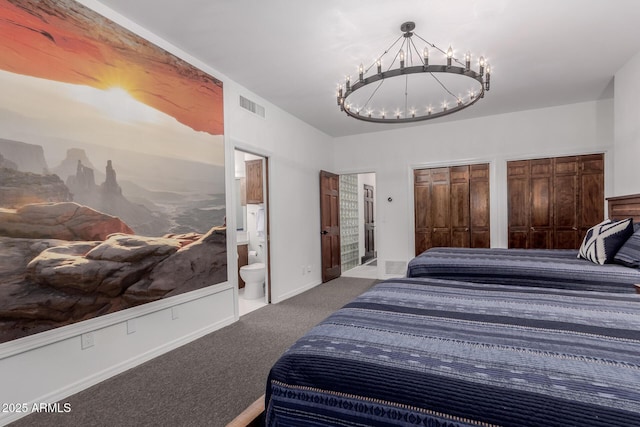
330,225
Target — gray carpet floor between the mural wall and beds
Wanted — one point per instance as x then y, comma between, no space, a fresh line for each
207,382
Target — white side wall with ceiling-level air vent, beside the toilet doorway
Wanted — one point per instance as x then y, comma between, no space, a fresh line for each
297,152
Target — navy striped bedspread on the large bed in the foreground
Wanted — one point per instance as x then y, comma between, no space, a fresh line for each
464,354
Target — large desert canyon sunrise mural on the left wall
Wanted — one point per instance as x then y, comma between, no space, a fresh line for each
111,169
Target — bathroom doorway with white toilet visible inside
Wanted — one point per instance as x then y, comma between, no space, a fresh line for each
251,186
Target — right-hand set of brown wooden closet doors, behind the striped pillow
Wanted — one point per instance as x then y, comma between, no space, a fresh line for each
554,201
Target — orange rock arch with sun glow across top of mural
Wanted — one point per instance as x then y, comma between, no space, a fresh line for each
64,41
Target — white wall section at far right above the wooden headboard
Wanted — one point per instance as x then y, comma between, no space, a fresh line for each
626,179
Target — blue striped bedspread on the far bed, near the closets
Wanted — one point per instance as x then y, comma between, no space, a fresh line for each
554,268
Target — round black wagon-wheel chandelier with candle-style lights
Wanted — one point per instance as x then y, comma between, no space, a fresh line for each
436,90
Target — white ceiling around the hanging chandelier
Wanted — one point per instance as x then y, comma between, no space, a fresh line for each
294,53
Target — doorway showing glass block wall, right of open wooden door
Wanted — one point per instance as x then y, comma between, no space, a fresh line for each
358,225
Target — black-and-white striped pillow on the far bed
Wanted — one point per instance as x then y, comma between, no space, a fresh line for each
602,241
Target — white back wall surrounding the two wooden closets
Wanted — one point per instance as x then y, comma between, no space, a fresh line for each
571,129
